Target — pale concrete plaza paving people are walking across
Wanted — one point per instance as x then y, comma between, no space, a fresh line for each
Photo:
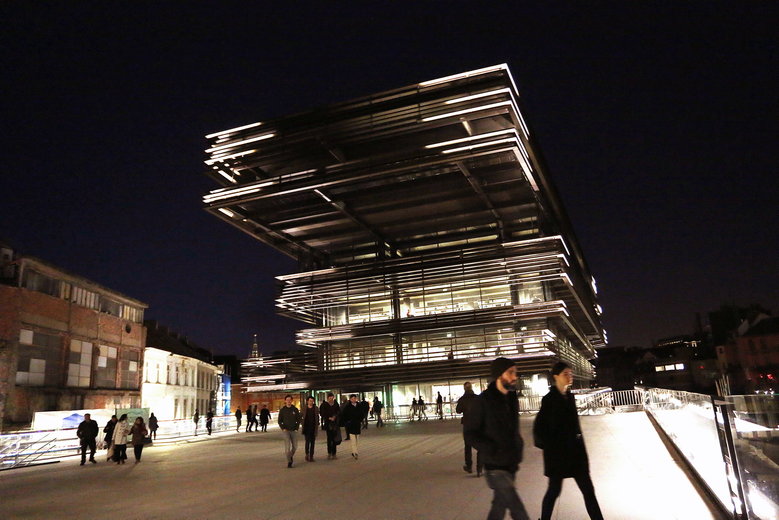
405,471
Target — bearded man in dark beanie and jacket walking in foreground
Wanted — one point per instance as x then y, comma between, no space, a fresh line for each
492,427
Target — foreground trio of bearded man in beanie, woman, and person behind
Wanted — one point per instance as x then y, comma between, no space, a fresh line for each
491,426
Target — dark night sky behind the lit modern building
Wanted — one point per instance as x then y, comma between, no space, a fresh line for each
659,123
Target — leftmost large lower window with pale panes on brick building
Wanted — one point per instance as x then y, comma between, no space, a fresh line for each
39,357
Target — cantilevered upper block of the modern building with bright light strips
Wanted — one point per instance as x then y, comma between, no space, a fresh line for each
436,164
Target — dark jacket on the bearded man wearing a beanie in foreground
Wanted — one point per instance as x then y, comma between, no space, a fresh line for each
492,427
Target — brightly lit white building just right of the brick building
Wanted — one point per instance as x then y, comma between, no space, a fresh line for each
178,377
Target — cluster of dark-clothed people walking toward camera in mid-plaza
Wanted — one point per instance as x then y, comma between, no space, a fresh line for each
330,417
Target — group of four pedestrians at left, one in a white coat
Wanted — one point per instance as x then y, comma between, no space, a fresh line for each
117,432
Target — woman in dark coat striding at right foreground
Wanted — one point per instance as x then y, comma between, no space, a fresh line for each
556,431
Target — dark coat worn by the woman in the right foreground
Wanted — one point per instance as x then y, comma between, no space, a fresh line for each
557,430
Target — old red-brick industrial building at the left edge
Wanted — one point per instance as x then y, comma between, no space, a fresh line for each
66,342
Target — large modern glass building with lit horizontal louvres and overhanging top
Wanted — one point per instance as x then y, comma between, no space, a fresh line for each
430,236
